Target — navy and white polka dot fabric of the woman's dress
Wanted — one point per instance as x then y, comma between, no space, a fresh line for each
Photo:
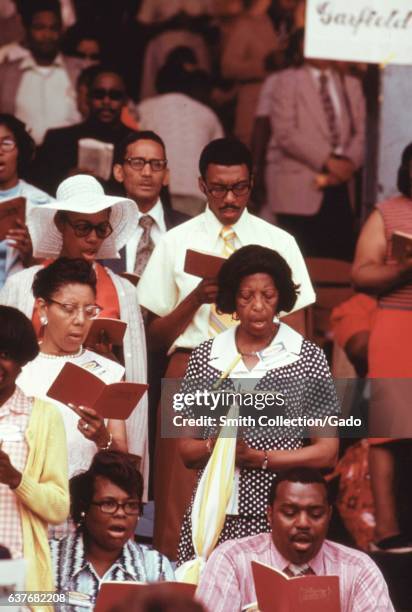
308,390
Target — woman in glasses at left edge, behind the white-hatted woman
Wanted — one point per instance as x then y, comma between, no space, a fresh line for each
16,152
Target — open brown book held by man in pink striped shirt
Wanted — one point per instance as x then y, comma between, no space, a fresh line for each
276,592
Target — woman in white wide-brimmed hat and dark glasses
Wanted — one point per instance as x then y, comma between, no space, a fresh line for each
85,223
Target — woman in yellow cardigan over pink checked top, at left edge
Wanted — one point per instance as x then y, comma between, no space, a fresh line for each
33,464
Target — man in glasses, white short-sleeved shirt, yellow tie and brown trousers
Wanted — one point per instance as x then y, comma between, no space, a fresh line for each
181,308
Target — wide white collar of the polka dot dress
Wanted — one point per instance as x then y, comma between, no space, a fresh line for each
284,349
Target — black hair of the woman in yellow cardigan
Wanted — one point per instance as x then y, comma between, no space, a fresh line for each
17,336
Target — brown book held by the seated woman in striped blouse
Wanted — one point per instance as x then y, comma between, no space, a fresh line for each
113,593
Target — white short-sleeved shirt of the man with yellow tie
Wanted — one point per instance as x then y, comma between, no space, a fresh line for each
164,284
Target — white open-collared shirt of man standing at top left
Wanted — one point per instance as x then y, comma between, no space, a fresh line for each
46,98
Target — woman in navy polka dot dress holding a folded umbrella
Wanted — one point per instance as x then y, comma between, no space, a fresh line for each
255,284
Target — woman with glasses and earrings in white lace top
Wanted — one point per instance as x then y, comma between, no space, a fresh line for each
65,294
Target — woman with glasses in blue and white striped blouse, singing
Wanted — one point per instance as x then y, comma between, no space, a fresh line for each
106,503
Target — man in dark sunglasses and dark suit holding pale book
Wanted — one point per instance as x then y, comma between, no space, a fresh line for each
58,156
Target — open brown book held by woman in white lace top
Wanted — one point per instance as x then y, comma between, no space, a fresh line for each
75,385
